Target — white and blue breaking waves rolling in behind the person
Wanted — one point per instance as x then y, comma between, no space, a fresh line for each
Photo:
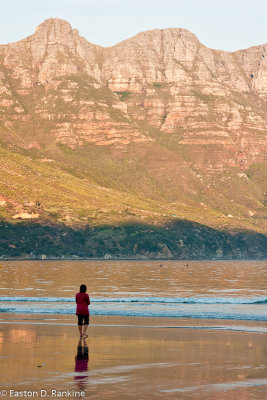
238,308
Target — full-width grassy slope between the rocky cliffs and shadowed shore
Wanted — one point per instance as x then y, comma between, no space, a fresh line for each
105,189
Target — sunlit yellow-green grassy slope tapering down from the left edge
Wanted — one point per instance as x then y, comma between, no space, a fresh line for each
61,196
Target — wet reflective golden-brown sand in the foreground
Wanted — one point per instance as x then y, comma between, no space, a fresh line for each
137,359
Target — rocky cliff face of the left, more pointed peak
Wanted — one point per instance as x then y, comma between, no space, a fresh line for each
54,77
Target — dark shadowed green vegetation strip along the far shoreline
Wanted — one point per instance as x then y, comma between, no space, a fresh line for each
180,240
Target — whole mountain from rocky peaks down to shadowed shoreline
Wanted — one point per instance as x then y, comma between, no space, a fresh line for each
156,132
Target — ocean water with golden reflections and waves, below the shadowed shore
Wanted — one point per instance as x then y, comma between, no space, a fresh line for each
229,290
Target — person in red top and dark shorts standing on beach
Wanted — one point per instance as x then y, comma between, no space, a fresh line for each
82,310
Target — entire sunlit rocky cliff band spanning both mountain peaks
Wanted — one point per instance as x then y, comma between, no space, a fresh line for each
212,103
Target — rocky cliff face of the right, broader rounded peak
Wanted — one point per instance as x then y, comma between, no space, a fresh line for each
210,97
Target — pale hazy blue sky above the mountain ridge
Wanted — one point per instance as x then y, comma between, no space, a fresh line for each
219,24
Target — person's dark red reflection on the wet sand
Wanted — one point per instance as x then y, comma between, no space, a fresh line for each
81,363
